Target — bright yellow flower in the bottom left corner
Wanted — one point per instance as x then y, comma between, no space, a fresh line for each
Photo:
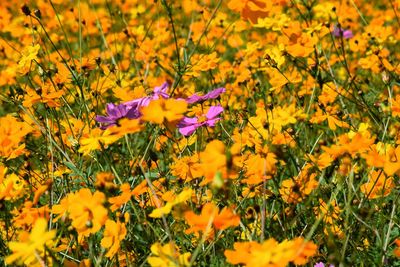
31,247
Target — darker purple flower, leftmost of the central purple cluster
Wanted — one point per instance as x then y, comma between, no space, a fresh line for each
116,112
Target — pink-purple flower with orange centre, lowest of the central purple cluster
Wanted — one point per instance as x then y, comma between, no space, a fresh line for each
187,126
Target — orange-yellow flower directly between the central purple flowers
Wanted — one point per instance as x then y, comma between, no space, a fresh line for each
159,110
